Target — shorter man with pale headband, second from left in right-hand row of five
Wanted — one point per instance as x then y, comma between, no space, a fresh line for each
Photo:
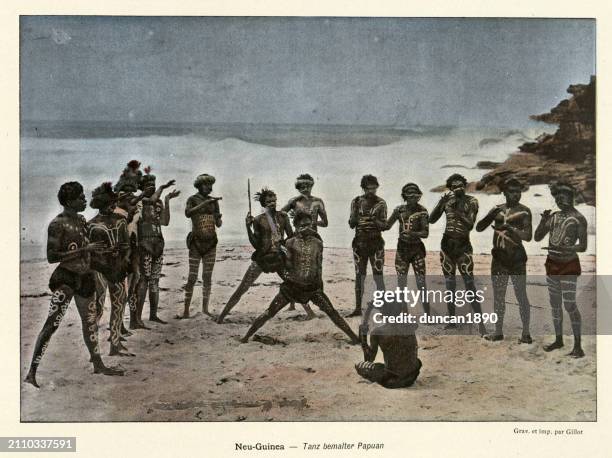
413,227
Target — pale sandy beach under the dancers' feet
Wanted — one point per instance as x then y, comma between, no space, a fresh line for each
196,370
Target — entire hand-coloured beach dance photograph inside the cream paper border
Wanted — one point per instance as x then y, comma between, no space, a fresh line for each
307,219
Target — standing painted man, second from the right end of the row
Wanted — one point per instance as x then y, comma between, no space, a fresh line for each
512,225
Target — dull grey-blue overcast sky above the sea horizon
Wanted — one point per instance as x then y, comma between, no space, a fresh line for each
301,70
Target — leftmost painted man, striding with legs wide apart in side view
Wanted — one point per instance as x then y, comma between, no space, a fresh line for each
68,245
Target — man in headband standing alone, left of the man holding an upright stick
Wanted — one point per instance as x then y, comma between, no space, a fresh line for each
202,240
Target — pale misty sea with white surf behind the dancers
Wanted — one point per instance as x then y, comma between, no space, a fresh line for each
268,155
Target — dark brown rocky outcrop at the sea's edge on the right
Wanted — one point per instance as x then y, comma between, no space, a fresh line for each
568,154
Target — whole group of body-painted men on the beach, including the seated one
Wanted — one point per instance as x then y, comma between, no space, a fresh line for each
120,250
